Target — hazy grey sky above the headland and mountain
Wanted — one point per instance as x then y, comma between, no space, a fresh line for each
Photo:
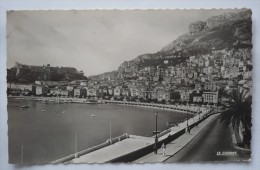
95,41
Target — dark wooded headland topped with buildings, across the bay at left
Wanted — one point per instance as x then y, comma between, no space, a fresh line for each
31,73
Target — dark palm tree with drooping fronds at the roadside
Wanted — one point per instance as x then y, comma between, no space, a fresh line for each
239,114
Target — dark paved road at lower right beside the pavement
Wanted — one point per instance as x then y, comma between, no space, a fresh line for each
214,143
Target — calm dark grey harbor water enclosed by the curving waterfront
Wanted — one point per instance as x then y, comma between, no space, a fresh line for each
44,132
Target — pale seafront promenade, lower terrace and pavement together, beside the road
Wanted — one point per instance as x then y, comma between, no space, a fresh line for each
134,147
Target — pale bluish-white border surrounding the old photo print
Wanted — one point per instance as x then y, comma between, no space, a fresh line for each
120,4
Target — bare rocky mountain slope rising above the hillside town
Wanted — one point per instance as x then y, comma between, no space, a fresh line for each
229,30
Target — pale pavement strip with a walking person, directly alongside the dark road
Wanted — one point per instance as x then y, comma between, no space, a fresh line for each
176,145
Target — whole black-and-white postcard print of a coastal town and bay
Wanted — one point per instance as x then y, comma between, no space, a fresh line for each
129,86
